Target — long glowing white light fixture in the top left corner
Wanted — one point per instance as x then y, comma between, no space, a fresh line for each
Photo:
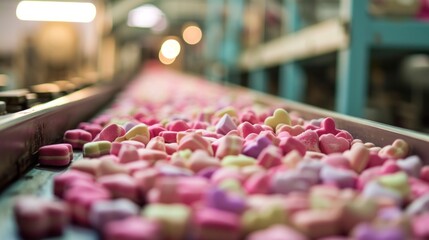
53,11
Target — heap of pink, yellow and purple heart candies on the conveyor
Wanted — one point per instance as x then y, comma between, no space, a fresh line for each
166,163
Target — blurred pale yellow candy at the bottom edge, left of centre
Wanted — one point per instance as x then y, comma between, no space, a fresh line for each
173,218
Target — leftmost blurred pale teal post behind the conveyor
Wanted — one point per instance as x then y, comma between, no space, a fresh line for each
213,35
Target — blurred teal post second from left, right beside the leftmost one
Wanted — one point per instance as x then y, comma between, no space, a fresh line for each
231,48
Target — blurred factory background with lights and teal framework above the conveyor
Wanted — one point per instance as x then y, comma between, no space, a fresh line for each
364,58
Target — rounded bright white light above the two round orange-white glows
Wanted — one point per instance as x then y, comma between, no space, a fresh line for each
146,16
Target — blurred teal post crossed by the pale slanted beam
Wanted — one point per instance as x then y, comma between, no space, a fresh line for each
292,82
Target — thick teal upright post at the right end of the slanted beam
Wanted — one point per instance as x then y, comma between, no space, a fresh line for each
352,67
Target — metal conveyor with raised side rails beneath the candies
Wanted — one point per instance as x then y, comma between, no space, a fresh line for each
23,133
